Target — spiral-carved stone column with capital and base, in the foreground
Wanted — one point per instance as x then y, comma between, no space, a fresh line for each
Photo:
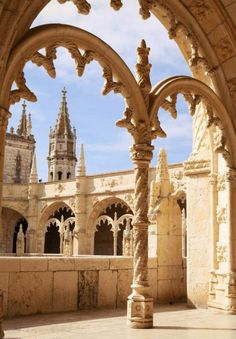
140,302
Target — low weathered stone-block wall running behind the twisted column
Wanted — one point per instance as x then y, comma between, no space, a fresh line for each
54,284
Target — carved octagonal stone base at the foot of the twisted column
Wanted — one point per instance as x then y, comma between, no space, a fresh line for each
140,308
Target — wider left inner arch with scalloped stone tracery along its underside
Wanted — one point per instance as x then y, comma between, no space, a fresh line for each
72,38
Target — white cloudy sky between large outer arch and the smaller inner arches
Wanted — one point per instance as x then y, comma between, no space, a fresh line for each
123,30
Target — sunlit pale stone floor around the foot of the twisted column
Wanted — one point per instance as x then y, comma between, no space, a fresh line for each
174,321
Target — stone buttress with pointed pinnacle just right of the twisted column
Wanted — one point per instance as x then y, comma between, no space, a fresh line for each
165,232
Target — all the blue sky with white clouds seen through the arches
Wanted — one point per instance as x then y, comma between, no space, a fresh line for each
94,115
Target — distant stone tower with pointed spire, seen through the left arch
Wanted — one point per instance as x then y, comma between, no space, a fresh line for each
62,146
